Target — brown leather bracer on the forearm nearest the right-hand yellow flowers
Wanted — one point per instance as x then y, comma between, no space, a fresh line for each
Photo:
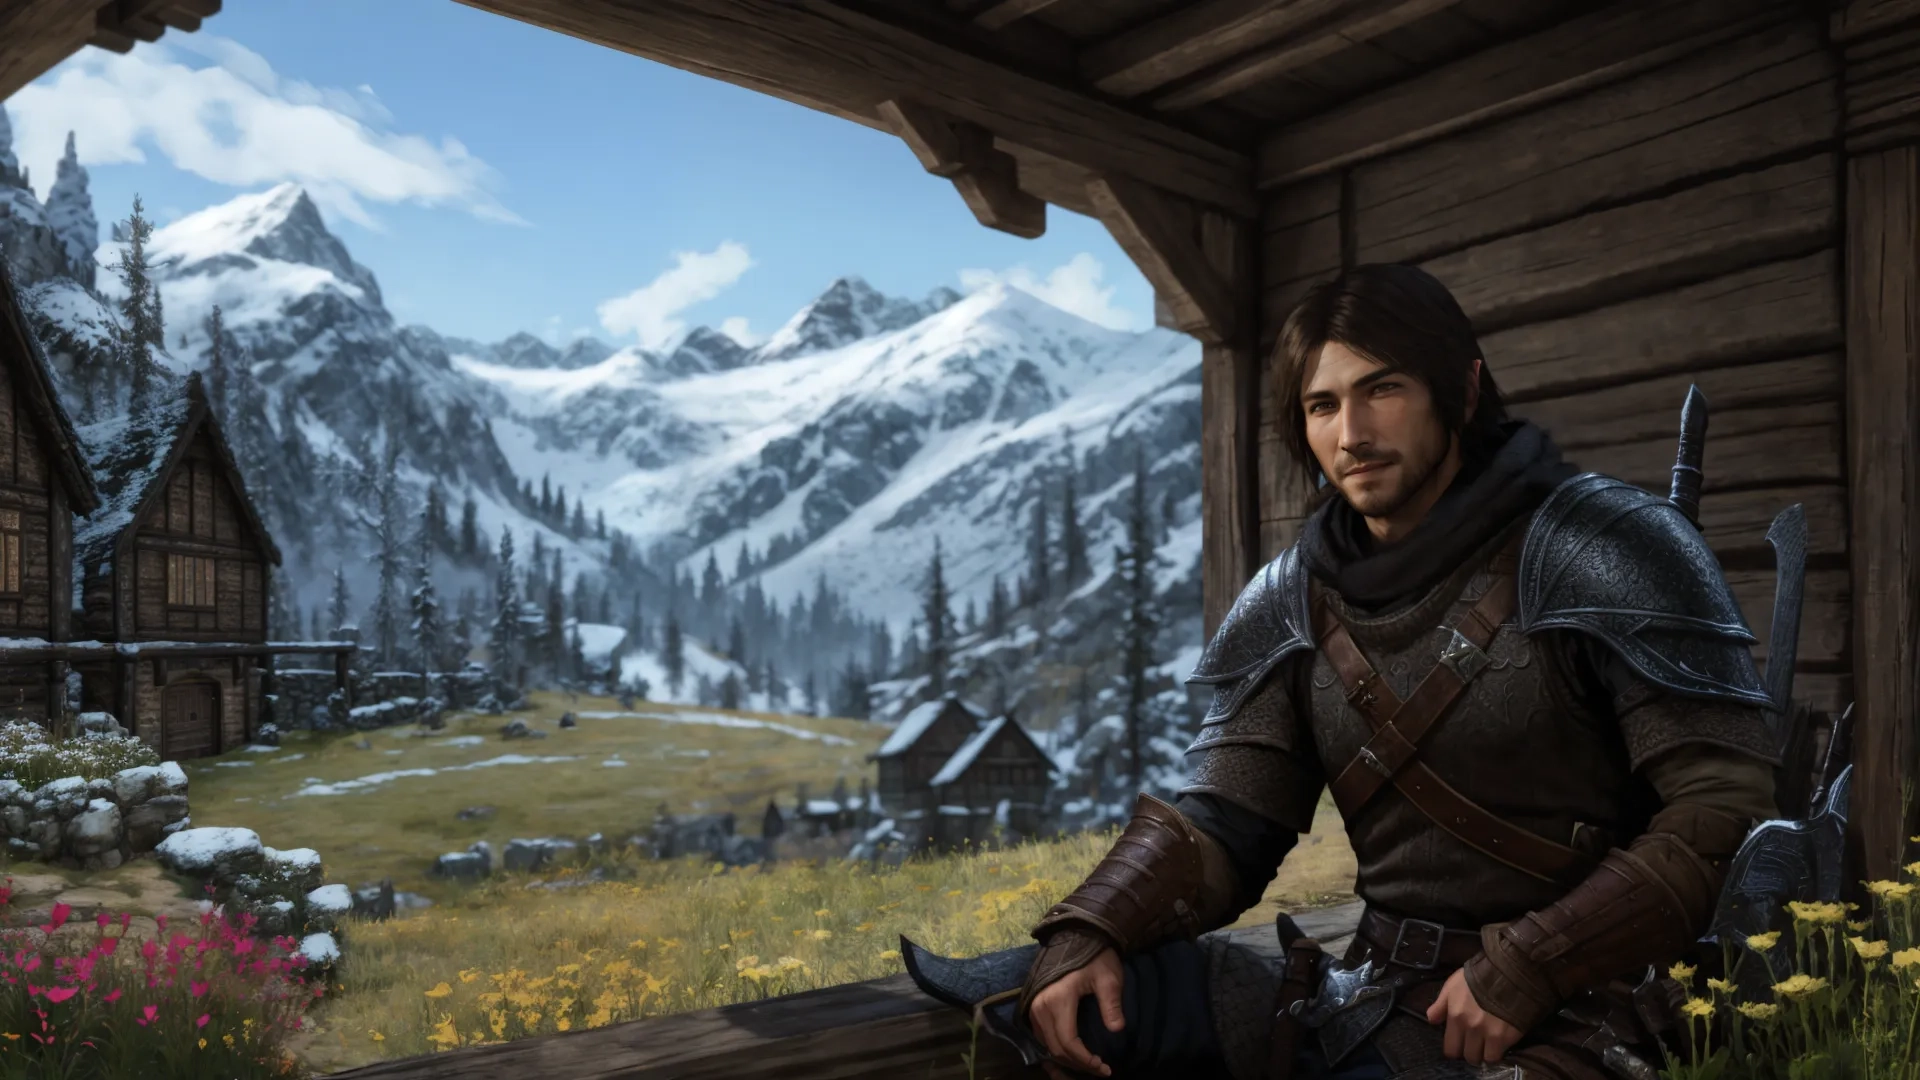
1644,906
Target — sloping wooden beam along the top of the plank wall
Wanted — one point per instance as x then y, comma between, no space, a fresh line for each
1562,62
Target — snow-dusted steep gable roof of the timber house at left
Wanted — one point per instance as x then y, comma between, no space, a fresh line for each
132,458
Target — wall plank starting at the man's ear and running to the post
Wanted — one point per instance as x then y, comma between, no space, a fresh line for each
1773,310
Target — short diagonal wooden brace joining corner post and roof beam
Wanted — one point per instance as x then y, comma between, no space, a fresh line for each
1161,235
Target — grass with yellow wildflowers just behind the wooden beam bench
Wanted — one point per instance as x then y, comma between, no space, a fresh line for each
510,962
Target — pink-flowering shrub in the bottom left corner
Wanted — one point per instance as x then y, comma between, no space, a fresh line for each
216,1002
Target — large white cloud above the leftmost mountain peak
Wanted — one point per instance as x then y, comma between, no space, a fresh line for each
235,122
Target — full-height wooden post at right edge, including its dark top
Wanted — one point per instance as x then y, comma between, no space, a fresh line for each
1881,76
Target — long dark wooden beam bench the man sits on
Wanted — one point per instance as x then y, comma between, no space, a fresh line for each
882,1029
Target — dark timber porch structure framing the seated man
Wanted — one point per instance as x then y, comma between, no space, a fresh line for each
1627,197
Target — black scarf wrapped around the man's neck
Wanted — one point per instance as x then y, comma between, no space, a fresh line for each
1489,495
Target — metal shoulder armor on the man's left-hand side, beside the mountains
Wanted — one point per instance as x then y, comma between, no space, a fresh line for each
1268,624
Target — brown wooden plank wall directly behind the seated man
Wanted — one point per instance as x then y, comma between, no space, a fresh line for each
1612,247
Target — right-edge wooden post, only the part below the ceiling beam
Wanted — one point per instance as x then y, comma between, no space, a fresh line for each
1884,487
